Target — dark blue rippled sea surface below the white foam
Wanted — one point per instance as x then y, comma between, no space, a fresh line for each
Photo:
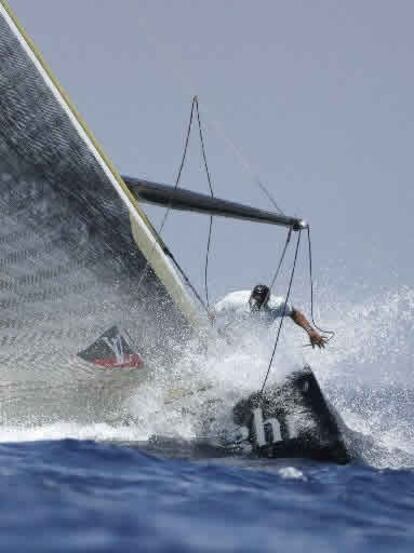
74,495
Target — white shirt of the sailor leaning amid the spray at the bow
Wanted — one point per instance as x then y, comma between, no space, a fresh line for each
235,306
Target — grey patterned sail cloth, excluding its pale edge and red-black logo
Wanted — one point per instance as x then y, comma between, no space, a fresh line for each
69,264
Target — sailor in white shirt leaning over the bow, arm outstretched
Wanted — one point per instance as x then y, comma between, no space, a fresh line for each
262,307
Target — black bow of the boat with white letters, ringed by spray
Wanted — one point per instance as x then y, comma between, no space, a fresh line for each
292,420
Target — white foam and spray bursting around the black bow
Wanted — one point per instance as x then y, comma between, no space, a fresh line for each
373,349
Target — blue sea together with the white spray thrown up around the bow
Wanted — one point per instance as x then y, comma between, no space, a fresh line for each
109,486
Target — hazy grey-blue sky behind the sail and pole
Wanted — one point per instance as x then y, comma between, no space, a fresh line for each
317,95
